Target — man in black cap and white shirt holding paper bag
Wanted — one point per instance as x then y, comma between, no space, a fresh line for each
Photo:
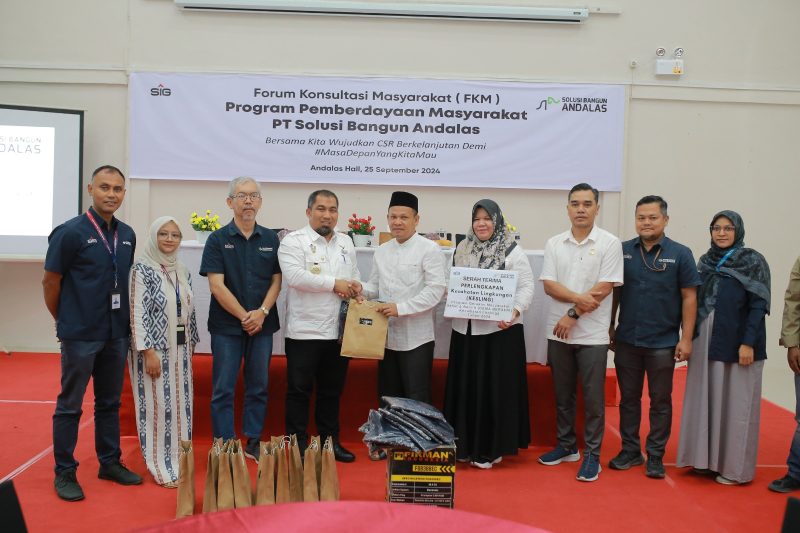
408,275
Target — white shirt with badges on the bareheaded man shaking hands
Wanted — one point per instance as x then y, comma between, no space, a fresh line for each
310,265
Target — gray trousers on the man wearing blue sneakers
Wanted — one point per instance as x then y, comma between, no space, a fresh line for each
567,363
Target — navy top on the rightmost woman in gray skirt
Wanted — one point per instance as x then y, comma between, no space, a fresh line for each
738,319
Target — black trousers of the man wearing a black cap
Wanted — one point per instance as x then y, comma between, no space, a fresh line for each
406,374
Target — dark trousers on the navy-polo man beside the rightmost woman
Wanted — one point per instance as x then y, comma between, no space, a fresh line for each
659,365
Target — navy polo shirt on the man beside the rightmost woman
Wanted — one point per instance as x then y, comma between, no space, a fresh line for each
650,300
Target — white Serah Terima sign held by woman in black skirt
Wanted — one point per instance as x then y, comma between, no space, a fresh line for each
480,294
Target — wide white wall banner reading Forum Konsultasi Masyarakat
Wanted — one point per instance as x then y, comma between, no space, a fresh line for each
376,131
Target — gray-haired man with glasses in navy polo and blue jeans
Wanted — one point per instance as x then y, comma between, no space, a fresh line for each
241,263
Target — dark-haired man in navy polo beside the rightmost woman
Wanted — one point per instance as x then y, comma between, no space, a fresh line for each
658,307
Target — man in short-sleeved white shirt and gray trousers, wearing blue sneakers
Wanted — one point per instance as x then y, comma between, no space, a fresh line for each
581,268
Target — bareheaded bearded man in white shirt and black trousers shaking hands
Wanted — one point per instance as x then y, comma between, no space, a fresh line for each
319,265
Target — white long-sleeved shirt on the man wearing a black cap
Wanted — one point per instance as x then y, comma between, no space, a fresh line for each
410,275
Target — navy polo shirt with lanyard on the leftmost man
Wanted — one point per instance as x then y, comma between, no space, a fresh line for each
77,252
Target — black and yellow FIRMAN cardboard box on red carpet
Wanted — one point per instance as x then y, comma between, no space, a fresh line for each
426,478
